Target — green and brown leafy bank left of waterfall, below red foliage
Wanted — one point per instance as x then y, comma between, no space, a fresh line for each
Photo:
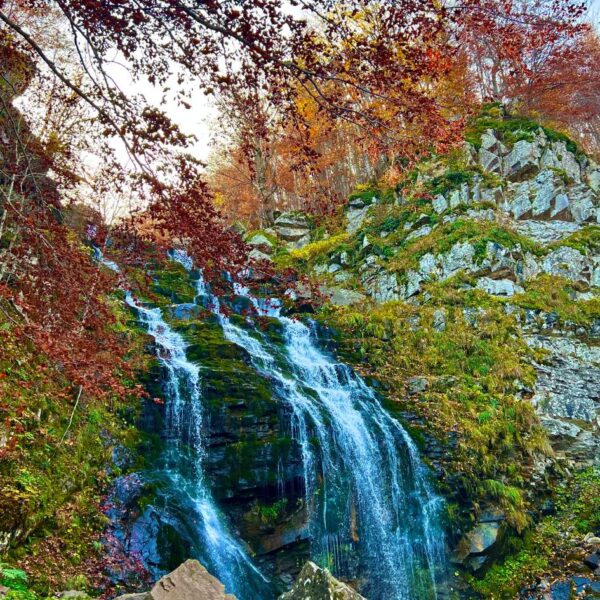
56,447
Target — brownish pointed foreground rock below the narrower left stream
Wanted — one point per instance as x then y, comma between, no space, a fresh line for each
189,581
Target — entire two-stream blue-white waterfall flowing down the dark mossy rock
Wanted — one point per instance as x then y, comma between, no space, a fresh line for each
372,514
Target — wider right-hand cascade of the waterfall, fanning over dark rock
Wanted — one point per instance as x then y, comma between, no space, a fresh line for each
372,512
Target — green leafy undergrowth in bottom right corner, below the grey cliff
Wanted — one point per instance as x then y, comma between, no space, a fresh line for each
554,547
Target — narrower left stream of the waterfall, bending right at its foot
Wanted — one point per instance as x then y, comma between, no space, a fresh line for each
183,499
